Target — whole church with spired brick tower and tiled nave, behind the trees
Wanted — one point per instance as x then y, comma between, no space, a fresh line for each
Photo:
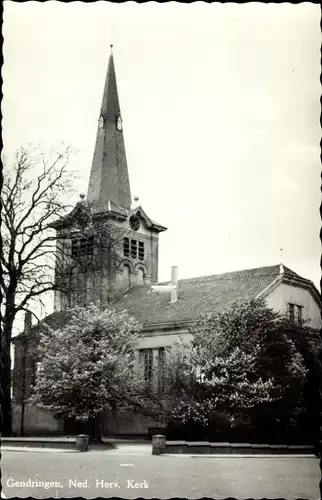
107,253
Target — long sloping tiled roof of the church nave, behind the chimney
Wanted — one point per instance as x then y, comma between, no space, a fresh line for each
196,295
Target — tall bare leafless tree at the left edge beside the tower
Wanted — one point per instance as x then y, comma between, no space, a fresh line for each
34,193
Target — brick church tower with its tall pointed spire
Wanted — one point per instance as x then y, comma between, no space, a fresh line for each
106,244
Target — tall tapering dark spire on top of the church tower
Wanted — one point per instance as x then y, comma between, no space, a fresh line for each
109,178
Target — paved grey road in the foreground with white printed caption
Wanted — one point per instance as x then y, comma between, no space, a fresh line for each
132,472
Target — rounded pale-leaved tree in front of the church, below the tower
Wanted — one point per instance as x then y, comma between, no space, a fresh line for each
88,366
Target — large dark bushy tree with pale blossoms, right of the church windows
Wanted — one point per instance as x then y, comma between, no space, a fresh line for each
242,368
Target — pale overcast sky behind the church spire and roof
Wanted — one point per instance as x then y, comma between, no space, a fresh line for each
220,107
